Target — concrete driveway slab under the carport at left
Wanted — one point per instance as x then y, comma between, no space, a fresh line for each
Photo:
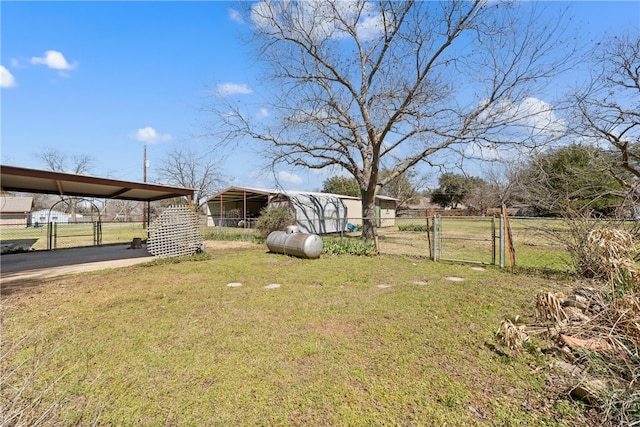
40,264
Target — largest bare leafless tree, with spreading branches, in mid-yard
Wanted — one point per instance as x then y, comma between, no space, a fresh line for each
364,86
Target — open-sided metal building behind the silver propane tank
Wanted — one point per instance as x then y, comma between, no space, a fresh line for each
317,213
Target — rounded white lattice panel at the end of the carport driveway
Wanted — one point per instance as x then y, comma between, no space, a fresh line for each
176,232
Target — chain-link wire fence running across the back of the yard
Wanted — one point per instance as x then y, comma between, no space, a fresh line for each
465,239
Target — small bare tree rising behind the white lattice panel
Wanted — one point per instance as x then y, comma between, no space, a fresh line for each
187,168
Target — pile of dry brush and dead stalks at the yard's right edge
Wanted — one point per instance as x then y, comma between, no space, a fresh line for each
595,330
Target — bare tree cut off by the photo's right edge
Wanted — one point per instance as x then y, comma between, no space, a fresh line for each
609,109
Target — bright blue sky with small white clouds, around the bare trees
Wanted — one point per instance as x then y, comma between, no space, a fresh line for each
104,78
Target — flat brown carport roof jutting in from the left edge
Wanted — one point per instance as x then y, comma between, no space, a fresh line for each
14,178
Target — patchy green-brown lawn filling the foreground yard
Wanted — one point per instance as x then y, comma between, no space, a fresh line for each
386,340
